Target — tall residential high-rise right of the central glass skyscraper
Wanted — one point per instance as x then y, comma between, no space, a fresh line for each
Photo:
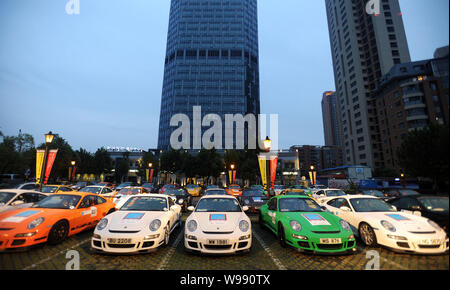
364,47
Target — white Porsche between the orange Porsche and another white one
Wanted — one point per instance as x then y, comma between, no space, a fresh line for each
142,224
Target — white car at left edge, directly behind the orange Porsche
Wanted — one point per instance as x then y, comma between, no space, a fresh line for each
18,198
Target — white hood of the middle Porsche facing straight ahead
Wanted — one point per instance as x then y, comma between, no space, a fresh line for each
219,221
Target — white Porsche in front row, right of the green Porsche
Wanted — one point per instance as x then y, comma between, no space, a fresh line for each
377,222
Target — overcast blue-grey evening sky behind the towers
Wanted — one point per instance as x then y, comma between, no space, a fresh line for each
96,78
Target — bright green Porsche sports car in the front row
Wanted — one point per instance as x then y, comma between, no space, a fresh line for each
298,221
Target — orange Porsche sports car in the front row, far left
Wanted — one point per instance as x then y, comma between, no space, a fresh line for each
52,219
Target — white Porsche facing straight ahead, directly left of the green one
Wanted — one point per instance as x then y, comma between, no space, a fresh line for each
218,225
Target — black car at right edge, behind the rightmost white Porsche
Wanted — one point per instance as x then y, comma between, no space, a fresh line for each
430,206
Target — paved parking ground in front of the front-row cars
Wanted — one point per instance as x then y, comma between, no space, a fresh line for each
266,254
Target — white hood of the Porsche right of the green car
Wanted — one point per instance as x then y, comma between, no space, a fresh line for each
400,220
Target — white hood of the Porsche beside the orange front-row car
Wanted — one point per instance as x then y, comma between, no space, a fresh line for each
133,220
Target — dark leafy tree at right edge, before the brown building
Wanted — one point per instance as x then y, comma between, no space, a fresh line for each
424,153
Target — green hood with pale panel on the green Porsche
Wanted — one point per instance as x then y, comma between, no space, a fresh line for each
315,221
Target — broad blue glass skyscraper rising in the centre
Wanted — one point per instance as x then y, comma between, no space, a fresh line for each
211,61
